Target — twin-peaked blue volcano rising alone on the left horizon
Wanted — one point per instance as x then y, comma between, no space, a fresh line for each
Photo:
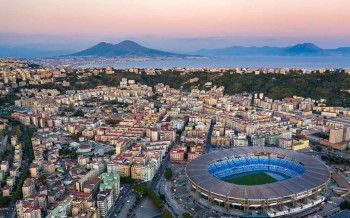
125,48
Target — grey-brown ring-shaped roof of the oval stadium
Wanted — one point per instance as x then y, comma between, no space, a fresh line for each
316,174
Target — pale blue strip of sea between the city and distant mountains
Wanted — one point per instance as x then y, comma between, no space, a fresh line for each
304,62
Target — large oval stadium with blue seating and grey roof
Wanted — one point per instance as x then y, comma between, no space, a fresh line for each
258,181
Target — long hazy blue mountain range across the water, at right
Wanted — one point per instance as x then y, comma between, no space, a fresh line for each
305,49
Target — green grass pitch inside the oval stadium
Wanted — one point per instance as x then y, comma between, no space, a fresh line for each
253,179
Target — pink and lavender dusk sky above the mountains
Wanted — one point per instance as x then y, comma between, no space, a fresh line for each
174,25
